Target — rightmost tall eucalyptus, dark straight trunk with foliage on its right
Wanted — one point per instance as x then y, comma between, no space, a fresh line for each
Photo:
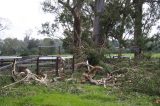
143,21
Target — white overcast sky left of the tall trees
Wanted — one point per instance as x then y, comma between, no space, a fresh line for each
23,16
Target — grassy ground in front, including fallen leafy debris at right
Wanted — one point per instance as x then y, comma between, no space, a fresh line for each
143,91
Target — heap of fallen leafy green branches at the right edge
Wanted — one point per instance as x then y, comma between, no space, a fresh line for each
144,79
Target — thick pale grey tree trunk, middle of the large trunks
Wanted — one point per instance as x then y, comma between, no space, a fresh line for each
97,36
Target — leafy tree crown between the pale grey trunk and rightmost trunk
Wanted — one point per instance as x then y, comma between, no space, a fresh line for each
116,21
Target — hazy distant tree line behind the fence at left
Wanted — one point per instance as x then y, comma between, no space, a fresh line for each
29,46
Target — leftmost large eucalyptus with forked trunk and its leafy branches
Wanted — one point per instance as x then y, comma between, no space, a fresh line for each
76,18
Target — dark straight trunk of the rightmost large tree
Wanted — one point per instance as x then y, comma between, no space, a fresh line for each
138,27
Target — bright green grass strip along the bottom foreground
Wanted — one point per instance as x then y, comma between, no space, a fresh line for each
33,95
